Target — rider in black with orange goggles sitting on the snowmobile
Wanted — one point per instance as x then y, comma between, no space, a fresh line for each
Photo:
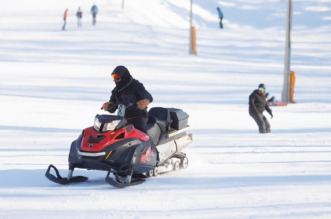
132,94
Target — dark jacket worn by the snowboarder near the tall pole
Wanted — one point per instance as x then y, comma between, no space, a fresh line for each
258,103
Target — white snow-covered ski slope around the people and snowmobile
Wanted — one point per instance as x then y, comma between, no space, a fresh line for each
53,82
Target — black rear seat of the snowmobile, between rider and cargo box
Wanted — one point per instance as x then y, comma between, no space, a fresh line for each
162,116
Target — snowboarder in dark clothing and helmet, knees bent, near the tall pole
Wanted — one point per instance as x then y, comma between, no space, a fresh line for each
257,104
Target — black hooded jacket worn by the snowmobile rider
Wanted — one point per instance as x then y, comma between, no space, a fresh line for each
128,92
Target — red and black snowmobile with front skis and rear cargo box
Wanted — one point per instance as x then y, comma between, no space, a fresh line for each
128,154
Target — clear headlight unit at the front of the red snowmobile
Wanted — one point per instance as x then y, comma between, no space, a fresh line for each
104,123
